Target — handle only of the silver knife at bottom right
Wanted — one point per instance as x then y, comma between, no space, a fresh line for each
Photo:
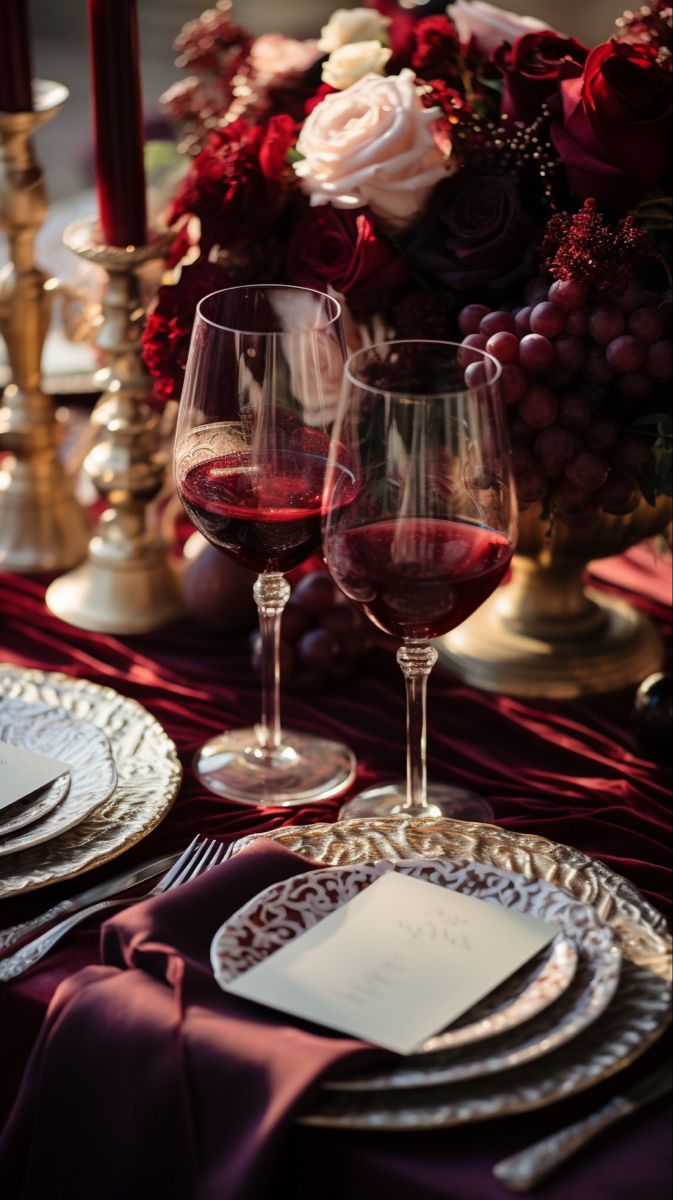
524,1172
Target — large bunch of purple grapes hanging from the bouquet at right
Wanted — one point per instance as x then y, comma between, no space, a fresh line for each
578,369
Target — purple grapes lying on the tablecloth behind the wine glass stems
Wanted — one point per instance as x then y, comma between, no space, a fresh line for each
325,639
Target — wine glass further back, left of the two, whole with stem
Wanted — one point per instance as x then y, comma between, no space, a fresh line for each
262,385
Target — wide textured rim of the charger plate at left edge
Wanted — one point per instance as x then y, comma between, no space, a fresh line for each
148,779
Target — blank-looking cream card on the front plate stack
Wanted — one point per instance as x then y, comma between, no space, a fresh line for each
398,964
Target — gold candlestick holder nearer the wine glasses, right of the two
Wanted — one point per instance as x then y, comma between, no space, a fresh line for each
127,586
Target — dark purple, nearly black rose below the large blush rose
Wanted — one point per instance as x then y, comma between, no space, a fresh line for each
476,236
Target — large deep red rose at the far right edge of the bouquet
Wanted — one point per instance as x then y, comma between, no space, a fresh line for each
617,122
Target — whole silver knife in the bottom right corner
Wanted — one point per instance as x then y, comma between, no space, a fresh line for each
524,1172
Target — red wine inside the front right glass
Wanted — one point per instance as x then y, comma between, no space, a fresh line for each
419,578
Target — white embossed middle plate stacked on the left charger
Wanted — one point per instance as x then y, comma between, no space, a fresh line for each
87,751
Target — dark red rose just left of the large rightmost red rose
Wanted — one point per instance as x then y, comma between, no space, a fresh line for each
533,69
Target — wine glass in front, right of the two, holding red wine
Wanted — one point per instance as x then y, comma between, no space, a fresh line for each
420,531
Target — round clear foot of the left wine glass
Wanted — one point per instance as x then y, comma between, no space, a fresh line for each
303,771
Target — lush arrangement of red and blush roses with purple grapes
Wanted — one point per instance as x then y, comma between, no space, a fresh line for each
468,173
